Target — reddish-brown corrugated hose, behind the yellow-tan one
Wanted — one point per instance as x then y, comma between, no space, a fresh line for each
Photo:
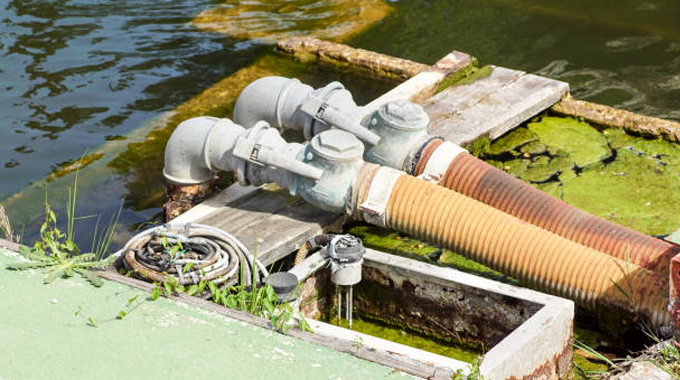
476,179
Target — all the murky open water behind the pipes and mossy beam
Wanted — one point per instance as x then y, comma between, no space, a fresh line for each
84,77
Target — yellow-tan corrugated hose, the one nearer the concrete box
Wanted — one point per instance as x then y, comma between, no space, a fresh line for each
539,258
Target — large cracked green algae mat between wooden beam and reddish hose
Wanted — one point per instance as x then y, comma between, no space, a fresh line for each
629,180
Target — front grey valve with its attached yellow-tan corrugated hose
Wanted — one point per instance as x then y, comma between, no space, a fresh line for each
389,198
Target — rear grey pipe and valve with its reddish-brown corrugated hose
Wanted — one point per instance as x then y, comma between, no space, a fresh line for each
405,145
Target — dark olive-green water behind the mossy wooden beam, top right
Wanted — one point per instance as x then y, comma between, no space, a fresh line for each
624,53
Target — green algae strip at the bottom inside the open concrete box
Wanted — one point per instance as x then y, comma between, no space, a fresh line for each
409,337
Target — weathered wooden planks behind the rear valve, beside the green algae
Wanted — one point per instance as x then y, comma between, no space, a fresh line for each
492,105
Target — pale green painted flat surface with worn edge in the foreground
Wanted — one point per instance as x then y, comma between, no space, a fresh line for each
42,339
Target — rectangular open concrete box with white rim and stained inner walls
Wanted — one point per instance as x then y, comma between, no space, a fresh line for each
529,333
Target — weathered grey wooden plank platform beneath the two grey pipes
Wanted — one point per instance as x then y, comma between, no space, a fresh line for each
275,224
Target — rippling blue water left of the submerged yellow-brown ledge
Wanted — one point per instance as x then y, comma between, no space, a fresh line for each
74,72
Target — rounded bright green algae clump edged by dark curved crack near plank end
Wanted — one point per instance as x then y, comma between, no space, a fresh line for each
584,144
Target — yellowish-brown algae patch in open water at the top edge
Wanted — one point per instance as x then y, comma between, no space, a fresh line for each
271,21
